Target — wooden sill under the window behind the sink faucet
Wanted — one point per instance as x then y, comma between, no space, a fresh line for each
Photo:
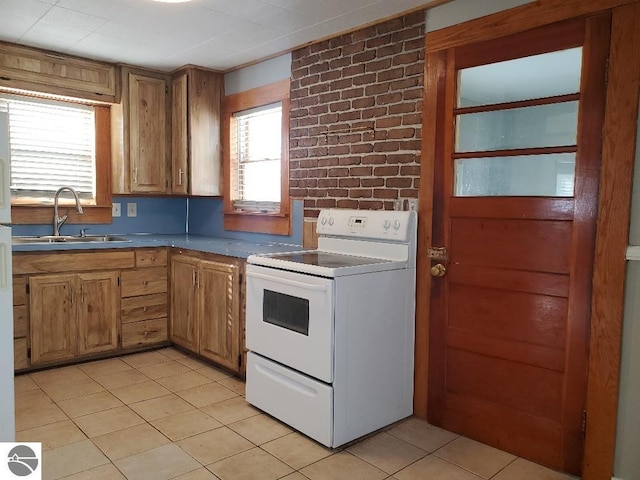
38,214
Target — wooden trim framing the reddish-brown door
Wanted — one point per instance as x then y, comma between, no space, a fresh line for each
619,144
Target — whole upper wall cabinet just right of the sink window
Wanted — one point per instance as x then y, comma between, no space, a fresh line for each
140,143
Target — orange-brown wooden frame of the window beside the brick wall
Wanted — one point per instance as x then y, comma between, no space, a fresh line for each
278,223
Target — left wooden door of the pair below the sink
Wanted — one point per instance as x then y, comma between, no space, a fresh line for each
53,318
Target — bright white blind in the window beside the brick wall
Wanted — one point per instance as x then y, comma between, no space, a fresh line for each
257,155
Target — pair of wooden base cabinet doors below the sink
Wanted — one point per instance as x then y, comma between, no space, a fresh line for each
73,315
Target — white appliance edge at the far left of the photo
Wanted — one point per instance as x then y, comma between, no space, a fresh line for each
7,412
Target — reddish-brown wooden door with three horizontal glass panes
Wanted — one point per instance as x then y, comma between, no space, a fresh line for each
509,320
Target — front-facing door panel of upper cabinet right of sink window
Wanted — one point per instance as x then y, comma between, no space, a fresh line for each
147,141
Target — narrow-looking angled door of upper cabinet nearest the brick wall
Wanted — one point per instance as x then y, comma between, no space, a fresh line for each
179,133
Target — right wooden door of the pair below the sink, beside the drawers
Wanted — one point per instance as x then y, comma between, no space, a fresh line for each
98,312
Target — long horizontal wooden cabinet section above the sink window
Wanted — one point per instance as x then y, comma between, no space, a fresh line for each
29,68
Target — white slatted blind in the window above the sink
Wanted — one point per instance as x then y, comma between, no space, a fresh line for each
52,145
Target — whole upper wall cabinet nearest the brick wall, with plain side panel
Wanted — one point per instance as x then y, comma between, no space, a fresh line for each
196,153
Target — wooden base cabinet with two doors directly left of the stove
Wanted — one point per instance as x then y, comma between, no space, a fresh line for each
205,306
